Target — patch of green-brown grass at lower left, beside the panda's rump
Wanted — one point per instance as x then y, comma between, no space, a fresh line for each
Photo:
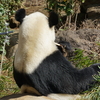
7,83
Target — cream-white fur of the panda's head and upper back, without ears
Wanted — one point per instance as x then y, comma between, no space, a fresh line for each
36,42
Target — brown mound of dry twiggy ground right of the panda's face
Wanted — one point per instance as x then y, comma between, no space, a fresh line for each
85,39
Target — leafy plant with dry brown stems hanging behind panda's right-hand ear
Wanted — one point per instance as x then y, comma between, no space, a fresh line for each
68,8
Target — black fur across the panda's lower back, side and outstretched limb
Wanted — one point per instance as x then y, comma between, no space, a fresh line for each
56,75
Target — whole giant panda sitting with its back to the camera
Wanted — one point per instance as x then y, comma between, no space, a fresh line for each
39,67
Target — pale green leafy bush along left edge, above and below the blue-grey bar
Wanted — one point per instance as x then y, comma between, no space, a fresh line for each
7,9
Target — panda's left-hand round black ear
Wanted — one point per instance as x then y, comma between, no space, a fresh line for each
20,14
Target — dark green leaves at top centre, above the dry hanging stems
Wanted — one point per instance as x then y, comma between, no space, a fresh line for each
63,5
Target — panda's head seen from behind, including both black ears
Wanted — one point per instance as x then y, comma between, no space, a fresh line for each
36,23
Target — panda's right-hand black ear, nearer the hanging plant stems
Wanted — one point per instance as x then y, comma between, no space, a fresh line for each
53,19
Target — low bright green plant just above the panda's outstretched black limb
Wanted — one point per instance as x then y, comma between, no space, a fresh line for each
81,61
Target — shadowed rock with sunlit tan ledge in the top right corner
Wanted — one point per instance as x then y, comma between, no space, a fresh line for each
91,8
